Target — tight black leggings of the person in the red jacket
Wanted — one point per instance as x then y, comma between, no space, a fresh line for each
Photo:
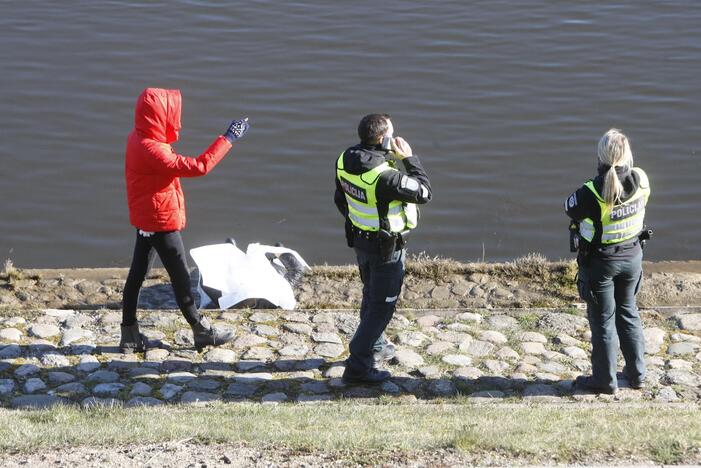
170,249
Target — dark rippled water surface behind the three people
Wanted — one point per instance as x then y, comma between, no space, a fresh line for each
503,100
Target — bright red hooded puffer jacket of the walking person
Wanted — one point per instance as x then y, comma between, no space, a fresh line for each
152,168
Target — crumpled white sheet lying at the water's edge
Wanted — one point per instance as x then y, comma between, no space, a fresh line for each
240,276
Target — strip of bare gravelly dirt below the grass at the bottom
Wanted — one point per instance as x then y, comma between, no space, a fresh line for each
187,453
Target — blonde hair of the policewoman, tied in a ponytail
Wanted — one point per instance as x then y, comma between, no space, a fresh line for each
614,150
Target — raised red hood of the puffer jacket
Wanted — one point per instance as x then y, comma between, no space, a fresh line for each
157,114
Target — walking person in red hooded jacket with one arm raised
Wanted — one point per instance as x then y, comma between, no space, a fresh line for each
157,208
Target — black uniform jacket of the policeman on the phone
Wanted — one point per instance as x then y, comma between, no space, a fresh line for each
410,187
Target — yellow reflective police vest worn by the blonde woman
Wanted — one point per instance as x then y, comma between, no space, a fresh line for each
621,222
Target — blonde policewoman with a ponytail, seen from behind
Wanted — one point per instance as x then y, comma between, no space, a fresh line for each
608,212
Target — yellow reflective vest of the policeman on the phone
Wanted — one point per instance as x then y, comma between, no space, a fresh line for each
362,202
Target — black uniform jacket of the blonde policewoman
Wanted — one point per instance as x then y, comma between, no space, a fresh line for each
583,204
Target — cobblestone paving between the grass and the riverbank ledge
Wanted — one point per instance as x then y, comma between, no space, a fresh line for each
53,356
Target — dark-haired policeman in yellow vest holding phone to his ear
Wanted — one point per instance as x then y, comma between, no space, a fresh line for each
378,184
